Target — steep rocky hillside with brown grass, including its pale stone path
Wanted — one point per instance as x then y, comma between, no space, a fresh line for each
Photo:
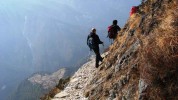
140,65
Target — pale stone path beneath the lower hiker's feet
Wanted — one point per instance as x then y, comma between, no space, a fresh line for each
77,84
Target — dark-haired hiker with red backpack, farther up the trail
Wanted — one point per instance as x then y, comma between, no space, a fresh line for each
113,30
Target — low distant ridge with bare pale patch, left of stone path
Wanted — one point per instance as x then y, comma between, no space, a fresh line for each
37,85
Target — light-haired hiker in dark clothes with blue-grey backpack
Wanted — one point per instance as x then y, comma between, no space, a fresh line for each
93,42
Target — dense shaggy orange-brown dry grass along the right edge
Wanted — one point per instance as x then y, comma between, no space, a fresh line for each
160,57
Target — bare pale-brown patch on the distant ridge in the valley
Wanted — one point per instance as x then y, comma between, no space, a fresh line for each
48,81
